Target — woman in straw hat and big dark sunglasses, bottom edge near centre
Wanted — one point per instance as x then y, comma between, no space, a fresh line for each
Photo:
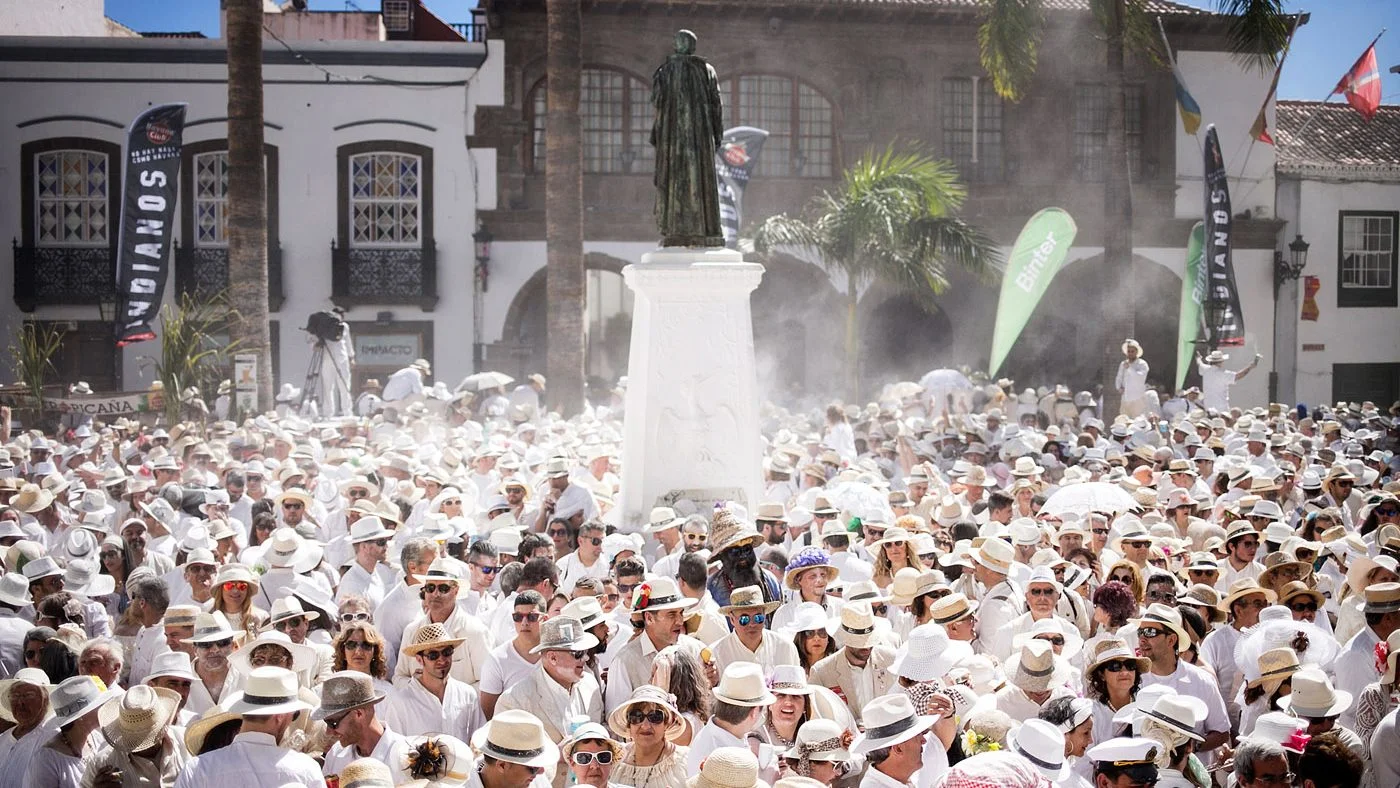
650,723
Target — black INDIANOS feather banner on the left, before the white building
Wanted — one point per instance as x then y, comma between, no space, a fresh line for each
150,184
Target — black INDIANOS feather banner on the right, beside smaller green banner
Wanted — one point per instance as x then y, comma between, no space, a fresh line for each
1223,313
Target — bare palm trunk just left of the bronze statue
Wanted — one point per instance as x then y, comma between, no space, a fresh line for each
563,208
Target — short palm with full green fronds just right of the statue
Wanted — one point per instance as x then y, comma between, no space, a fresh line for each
890,222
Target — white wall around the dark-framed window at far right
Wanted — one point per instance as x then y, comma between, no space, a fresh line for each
1350,335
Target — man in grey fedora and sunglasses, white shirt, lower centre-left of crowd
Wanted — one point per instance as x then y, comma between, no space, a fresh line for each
561,689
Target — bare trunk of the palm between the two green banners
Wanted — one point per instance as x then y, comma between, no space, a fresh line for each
1119,297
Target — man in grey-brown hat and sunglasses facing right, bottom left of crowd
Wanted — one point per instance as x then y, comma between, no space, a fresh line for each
348,709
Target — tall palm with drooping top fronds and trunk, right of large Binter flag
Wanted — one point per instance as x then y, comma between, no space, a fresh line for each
1010,40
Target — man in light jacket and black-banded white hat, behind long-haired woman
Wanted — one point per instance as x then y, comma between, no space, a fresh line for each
663,610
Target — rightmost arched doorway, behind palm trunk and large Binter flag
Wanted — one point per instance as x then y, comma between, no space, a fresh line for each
1065,339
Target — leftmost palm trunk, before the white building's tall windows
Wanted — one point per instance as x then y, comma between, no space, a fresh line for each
247,192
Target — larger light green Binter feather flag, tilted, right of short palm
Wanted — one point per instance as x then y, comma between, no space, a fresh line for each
1035,260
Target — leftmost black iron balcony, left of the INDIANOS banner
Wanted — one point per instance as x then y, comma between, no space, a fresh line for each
54,276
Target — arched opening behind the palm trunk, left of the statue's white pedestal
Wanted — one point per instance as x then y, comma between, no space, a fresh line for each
524,346
